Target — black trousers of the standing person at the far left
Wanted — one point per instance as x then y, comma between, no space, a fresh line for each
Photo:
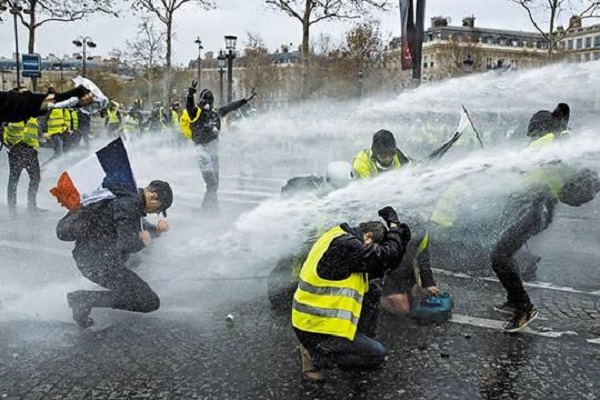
22,157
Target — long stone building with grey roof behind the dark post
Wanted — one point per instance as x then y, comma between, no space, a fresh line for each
450,51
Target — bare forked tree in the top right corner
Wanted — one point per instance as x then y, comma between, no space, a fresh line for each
546,17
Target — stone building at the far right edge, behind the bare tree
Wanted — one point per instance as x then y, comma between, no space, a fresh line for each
581,44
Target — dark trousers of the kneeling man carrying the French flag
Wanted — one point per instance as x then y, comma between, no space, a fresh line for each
126,290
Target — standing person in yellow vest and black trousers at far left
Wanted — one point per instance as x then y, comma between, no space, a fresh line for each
22,138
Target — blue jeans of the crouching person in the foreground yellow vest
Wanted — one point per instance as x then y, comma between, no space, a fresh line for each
361,353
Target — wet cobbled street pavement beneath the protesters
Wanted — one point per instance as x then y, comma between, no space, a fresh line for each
187,349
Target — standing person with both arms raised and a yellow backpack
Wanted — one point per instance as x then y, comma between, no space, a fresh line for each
202,124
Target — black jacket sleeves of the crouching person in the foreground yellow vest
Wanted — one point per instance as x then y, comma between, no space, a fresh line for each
347,254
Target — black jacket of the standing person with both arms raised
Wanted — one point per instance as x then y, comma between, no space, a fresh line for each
208,126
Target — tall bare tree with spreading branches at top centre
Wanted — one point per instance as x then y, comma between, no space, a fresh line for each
311,12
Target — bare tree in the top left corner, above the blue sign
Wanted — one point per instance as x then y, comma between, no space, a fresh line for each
41,12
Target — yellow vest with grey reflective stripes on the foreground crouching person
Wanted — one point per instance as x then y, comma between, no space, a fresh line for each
324,306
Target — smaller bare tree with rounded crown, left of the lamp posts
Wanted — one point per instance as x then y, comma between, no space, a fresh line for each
143,55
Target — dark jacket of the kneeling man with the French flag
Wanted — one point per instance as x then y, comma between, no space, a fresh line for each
105,232
